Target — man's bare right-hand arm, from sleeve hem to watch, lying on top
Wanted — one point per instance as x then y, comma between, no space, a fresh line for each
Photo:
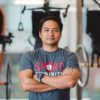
67,79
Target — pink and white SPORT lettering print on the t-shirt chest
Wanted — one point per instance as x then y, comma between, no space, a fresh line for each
49,68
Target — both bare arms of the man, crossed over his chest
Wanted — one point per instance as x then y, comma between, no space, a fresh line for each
67,79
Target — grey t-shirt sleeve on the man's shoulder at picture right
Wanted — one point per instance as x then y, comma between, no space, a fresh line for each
72,61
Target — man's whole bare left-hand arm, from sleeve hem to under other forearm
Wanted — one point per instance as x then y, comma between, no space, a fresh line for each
28,83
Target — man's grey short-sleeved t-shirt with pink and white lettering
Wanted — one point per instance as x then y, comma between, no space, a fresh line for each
51,63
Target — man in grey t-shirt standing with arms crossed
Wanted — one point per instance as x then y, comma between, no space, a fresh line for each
48,73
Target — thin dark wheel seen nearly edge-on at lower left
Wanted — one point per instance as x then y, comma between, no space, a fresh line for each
8,82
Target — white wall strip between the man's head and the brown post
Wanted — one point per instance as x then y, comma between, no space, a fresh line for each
69,36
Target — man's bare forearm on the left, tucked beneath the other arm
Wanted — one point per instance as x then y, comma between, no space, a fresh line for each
33,85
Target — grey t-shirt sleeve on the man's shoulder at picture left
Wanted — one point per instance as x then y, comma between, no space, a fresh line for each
26,61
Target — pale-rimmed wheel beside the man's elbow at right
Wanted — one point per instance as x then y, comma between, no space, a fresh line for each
84,65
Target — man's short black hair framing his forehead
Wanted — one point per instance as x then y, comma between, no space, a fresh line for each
56,19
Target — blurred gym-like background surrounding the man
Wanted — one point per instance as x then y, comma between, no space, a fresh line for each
81,34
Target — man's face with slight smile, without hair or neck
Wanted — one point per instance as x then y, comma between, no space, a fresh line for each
50,33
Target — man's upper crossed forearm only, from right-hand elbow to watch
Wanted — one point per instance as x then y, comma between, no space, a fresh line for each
59,82
